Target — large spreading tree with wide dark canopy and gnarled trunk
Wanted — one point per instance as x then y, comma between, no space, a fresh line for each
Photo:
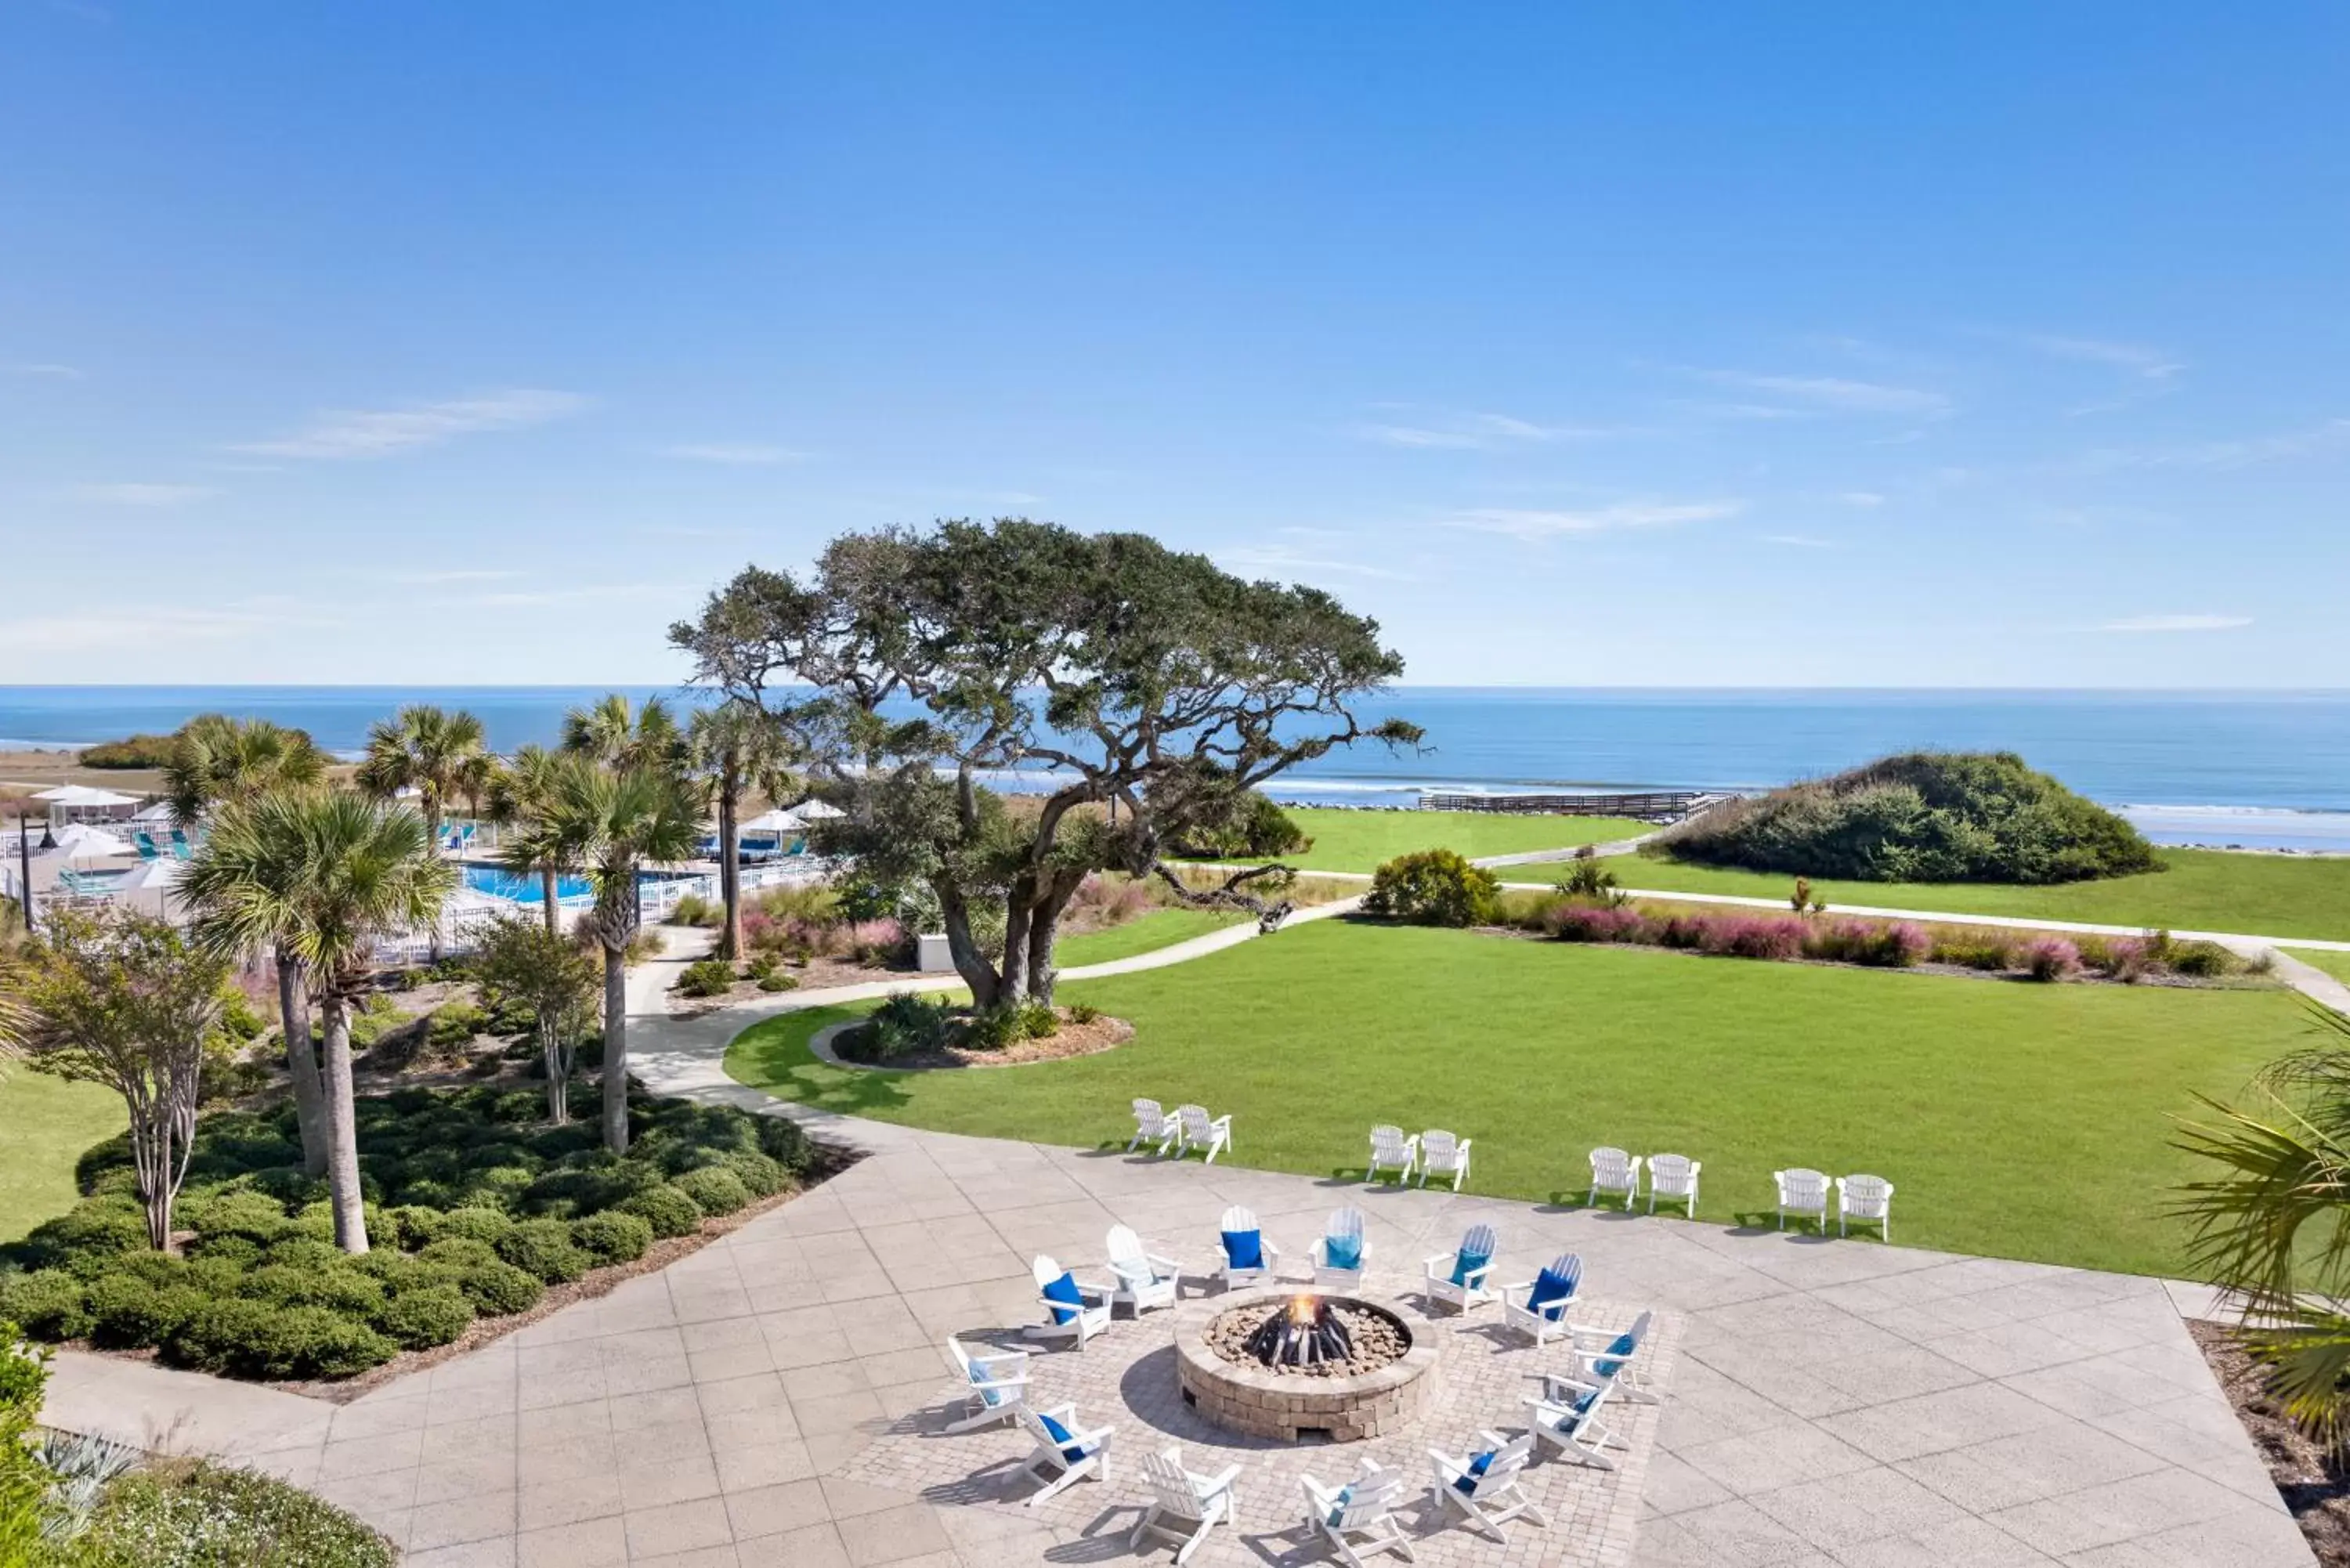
1150,685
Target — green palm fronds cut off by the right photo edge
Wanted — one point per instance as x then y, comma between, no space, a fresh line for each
2274,1224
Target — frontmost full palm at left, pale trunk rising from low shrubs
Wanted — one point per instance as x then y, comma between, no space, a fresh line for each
361,871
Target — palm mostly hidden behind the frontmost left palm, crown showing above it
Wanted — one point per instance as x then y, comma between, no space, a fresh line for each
217,763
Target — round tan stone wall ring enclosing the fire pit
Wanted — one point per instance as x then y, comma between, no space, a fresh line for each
1261,1402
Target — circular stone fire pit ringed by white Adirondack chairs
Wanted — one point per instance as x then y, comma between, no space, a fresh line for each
1388,1383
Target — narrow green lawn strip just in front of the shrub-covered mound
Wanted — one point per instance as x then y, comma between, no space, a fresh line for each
2205,890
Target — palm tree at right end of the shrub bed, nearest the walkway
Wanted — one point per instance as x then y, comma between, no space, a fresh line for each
615,822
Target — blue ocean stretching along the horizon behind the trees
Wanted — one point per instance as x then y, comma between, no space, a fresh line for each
2264,770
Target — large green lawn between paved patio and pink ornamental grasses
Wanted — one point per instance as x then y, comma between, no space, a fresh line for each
2017,1120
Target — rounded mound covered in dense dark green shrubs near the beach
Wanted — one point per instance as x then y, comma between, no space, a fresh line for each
1926,817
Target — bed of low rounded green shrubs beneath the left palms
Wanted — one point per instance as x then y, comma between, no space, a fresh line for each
474,1209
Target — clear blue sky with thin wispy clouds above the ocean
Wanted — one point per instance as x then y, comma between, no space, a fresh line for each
1667,344
